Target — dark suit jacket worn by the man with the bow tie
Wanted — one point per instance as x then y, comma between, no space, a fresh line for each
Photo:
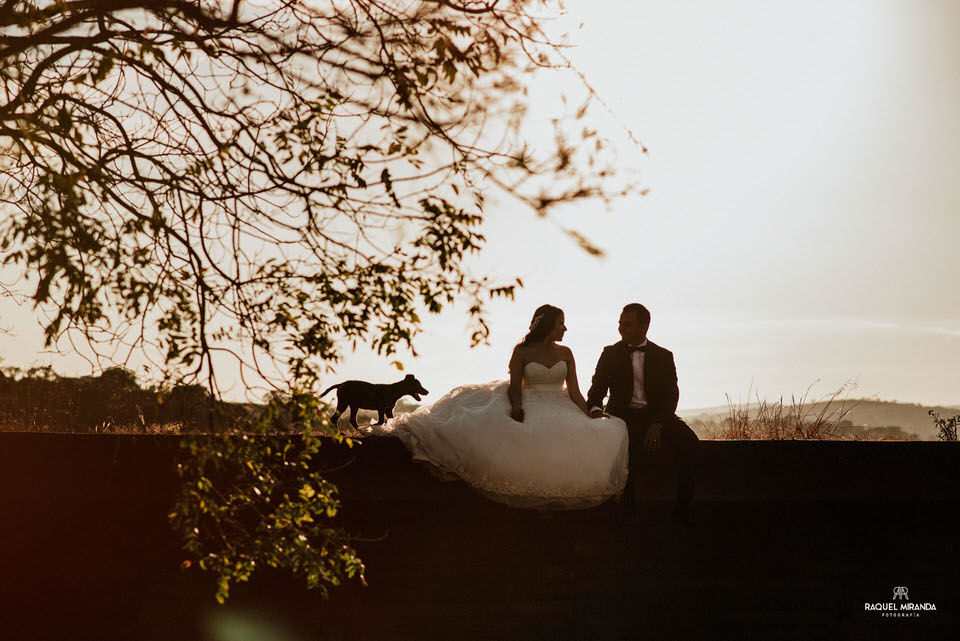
615,374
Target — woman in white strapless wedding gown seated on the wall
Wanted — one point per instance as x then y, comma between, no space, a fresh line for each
527,442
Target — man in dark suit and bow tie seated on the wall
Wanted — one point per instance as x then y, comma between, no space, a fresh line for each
642,380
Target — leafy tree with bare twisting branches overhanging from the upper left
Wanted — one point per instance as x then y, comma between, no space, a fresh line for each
248,185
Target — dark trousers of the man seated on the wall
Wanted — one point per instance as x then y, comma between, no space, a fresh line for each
677,437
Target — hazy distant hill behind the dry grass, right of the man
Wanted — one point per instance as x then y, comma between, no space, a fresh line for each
911,418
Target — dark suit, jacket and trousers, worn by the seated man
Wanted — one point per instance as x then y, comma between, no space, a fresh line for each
615,374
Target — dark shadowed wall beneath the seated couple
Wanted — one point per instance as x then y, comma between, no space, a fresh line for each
796,538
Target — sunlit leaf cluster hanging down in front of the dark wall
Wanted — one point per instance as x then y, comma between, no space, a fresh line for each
254,501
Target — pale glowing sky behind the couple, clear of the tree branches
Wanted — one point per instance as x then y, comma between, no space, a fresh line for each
801,226
